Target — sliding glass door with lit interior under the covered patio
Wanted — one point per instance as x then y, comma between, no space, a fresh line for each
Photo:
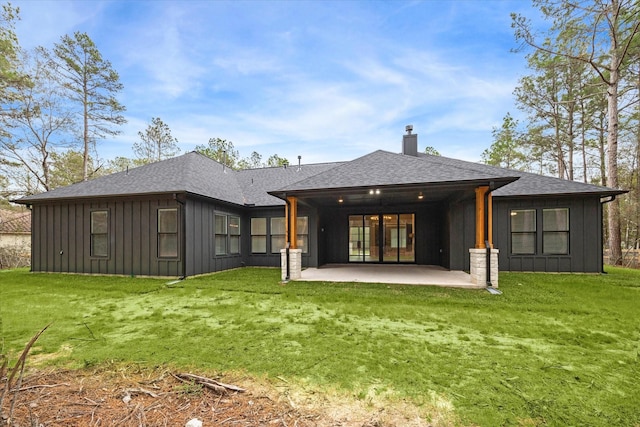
393,233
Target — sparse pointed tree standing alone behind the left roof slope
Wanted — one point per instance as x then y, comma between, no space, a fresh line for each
156,144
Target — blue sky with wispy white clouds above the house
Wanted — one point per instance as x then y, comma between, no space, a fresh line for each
327,80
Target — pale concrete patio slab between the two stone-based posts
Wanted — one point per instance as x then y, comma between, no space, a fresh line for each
390,273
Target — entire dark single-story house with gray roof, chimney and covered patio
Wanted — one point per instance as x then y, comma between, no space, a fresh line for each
190,215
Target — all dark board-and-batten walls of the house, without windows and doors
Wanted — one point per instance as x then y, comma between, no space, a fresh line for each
444,234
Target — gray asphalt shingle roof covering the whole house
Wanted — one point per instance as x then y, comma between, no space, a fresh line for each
198,174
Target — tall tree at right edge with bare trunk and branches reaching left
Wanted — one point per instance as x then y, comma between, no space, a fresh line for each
611,26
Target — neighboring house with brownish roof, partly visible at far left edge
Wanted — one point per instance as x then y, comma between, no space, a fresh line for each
15,238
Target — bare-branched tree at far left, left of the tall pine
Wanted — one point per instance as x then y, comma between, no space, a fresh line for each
40,124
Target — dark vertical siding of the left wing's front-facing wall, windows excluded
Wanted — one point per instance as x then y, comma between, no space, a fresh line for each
61,238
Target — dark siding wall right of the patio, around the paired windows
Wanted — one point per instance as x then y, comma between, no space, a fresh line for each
585,235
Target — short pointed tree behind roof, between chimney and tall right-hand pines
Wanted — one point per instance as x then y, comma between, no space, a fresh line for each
505,151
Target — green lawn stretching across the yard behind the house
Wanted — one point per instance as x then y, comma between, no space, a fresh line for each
554,349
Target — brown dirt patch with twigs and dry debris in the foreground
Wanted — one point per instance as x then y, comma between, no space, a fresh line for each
131,396
